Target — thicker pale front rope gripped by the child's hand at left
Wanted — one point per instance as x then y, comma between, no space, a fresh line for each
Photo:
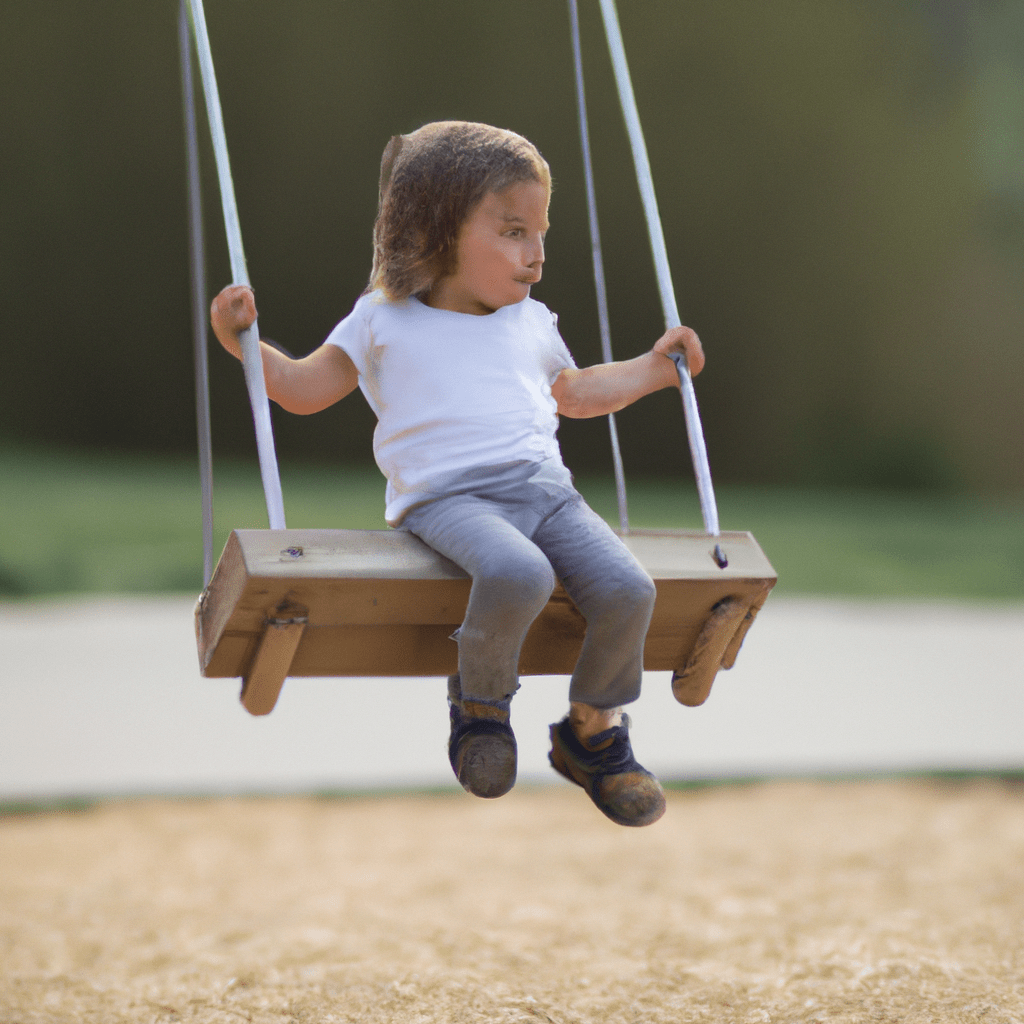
251,359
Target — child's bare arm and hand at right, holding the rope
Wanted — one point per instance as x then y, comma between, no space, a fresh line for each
608,388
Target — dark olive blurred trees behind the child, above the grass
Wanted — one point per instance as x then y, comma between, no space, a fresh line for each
842,186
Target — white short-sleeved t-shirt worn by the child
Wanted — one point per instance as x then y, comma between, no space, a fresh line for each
454,393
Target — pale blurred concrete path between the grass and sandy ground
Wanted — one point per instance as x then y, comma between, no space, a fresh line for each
105,697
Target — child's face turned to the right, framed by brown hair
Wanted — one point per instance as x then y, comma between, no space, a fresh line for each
500,252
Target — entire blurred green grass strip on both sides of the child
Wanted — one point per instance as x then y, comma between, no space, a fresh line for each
93,524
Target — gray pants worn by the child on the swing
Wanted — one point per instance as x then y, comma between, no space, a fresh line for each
515,542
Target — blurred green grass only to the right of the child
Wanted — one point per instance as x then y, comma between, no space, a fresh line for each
860,543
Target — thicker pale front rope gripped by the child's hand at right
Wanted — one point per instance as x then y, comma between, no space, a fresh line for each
699,451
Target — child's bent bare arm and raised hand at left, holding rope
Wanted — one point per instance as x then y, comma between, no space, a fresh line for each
304,387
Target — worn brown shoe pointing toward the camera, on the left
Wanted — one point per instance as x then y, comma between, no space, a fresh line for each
482,745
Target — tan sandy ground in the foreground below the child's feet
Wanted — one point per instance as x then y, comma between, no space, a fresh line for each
786,902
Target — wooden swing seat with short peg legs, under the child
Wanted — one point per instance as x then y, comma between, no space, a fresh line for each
354,603
